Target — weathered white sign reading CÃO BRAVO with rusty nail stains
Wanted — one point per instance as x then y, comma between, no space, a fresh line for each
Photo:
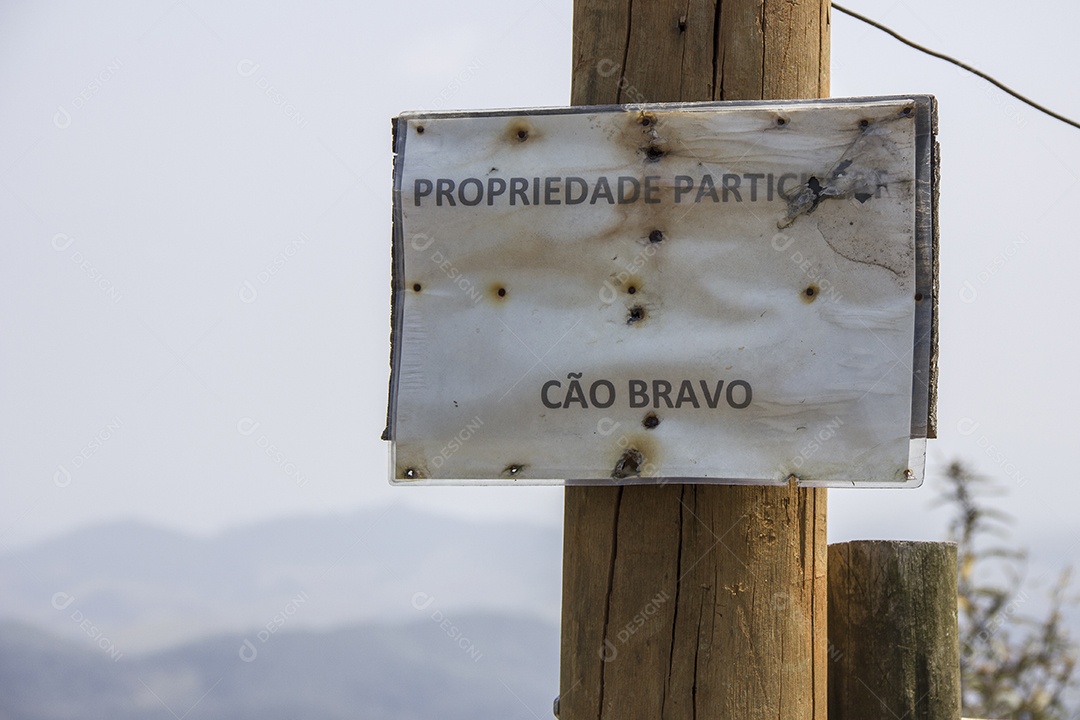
719,293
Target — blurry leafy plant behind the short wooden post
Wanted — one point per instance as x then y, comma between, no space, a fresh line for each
1012,665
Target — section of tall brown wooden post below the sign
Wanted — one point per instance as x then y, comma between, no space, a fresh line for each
694,601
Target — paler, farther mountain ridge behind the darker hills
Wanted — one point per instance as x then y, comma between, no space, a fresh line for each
144,589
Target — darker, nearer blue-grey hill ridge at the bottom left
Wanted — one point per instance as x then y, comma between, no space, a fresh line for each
490,667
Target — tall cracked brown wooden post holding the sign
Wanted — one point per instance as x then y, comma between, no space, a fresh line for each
696,601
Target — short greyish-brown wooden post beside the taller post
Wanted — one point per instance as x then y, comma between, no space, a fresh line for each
893,628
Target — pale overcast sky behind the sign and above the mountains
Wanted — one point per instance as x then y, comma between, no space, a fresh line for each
196,202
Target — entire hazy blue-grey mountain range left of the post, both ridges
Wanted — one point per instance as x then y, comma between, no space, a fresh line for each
391,615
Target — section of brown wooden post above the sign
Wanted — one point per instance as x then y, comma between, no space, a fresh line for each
699,50
